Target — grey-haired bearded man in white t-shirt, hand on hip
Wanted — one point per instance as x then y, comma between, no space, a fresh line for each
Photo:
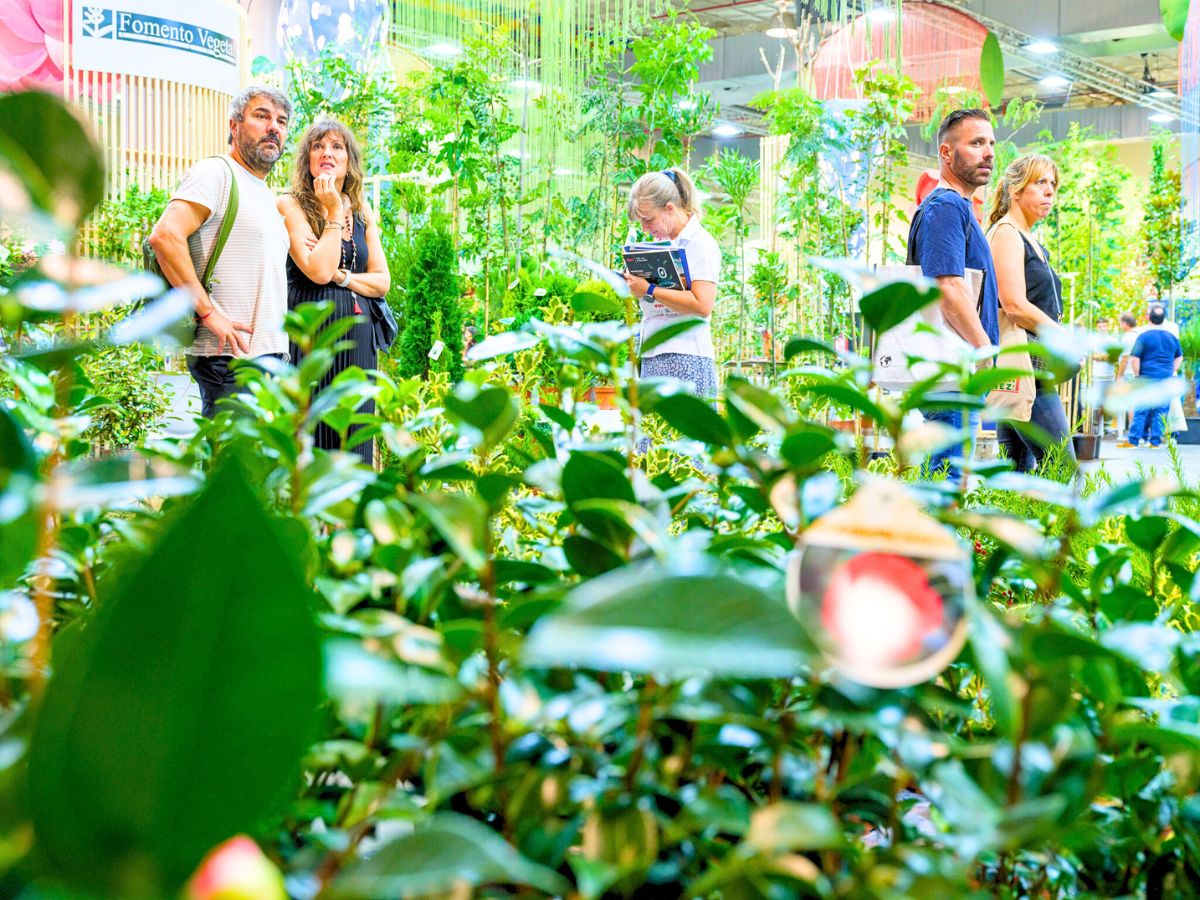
241,311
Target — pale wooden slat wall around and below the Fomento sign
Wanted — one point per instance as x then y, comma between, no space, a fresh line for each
151,130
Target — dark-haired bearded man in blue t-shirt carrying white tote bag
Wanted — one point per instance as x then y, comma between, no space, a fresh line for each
949,241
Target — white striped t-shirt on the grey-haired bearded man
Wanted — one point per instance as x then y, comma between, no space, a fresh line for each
250,283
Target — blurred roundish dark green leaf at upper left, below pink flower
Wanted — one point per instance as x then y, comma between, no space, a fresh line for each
47,148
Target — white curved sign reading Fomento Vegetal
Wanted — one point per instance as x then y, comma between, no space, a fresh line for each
191,41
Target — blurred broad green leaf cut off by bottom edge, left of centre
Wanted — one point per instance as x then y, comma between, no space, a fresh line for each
440,859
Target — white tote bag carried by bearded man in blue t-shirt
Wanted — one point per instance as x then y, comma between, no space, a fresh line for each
937,344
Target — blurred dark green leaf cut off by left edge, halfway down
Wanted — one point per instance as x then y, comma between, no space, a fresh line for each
19,511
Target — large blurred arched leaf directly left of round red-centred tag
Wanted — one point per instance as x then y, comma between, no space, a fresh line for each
687,616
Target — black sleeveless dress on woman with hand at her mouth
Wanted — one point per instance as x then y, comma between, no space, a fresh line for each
346,304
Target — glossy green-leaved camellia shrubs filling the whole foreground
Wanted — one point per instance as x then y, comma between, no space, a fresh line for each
567,671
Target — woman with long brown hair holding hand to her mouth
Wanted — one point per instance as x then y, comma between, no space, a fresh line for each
335,253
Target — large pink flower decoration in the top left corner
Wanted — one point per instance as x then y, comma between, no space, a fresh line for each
31,44
